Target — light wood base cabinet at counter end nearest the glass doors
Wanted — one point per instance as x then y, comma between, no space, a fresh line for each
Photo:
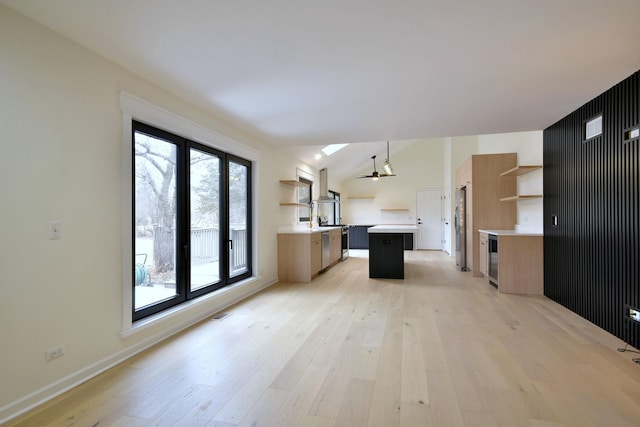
299,256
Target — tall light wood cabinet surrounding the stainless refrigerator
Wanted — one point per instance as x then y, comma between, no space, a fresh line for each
480,175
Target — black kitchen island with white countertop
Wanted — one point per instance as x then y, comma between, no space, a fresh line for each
386,250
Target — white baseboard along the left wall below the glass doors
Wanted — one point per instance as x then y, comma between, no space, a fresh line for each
55,389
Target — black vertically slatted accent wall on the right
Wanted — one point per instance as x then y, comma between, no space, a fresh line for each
592,257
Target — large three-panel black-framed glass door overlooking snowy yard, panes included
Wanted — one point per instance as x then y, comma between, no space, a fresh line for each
192,228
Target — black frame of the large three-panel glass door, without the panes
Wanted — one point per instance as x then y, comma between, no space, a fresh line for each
182,249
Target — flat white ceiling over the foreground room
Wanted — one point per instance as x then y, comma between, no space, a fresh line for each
310,73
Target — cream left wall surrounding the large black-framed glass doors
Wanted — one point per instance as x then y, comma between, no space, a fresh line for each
62,150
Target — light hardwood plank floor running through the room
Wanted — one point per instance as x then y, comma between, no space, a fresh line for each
440,348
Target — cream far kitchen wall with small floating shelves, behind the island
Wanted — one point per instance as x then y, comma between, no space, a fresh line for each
418,166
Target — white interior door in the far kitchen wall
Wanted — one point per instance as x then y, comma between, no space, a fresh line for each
429,219
